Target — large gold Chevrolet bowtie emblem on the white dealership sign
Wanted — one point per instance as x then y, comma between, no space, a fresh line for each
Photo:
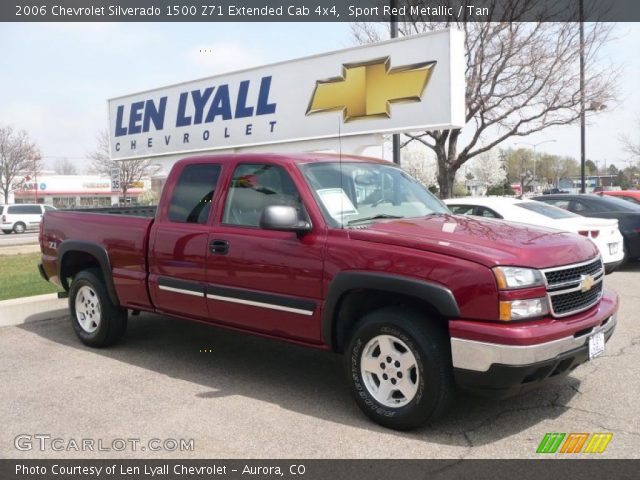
365,90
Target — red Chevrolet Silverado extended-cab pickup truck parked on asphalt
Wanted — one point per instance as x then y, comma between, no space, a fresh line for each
346,254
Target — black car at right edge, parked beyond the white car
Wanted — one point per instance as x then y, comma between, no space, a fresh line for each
590,205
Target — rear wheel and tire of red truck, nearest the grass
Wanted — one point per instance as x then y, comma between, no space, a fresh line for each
96,320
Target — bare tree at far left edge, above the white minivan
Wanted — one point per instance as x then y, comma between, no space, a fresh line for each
19,158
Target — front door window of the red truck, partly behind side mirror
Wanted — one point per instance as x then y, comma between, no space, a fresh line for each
255,187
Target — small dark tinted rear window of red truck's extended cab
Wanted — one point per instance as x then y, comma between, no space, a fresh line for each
193,193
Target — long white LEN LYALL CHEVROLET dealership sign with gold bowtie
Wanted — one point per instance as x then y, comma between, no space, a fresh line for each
411,83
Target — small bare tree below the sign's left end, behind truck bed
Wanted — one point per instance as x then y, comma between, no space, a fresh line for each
131,171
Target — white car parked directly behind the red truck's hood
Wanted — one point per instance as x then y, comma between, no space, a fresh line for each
603,232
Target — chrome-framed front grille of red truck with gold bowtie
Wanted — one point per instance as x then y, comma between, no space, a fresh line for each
574,288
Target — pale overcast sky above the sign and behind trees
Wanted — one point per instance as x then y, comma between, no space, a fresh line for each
56,78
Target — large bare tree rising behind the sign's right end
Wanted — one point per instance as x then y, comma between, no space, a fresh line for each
521,77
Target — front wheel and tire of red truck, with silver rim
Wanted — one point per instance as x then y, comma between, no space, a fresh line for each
413,393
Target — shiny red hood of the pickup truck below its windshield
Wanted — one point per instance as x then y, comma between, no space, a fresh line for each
486,241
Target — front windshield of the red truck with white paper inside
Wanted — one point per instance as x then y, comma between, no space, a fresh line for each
356,193
